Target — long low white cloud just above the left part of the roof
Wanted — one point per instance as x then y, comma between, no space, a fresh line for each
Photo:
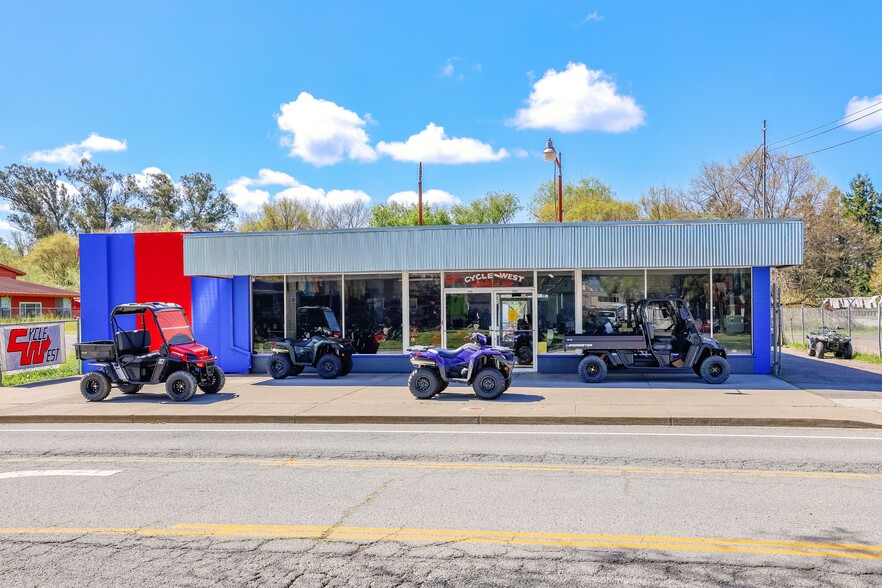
249,198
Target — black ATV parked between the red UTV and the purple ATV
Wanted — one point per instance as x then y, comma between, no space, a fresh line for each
319,343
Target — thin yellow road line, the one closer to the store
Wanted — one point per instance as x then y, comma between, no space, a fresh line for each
423,465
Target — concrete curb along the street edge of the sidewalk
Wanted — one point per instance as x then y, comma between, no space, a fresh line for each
442,420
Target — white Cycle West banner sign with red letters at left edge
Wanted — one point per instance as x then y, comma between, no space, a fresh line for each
25,346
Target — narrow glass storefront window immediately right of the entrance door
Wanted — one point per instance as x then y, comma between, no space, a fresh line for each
557,308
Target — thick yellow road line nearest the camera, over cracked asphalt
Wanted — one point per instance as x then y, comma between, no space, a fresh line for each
506,538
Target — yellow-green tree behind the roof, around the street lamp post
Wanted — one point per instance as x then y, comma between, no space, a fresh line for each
588,200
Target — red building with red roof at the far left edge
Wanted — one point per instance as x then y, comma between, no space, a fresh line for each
19,298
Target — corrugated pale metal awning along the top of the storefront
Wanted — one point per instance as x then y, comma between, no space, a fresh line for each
663,244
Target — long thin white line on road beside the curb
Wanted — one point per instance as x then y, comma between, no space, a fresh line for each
452,432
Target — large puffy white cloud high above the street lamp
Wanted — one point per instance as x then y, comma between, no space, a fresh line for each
578,99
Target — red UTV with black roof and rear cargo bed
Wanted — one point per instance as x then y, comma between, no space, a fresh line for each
128,363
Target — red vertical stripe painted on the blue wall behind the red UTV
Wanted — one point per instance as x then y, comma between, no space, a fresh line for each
159,272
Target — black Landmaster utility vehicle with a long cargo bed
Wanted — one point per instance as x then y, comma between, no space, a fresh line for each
664,337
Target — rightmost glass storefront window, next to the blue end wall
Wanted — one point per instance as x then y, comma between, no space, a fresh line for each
731,312
